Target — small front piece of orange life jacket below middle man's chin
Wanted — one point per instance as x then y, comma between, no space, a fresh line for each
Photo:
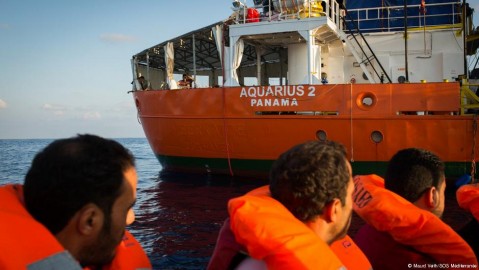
350,254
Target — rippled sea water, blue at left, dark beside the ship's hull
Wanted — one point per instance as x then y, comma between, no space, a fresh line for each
178,216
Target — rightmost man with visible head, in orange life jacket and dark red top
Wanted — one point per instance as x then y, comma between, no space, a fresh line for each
403,213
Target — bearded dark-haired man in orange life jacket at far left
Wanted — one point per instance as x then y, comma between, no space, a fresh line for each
72,210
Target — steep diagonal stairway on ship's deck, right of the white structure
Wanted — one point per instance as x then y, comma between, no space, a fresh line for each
364,55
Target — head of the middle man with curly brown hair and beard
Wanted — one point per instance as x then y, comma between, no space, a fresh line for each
314,180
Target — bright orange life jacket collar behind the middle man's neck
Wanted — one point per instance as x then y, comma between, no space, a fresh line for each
272,234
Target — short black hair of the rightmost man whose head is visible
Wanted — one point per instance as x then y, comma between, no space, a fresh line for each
412,171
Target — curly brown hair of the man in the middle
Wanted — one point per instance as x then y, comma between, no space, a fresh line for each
309,176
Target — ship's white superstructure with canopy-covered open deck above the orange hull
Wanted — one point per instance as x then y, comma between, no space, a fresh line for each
287,43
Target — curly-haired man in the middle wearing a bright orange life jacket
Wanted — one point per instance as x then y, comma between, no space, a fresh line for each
291,223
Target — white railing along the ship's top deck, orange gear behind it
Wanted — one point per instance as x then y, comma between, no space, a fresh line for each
288,10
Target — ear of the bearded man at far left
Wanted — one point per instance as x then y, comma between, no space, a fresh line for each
90,219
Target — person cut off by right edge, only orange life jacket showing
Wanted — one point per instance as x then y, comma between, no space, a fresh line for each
468,198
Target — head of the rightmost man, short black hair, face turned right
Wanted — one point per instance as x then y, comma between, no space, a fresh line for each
418,176
